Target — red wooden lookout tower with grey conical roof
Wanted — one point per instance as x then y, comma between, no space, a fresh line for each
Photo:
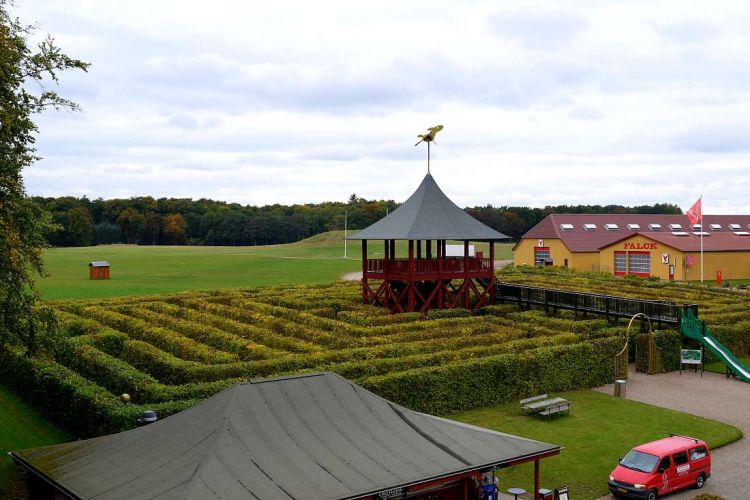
426,278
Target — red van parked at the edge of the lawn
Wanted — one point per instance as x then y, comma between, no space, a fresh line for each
660,467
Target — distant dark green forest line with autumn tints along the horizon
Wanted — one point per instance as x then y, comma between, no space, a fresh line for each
180,221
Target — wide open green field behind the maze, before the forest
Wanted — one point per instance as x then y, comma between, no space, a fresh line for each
145,270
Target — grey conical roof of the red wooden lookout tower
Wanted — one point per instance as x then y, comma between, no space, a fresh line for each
428,215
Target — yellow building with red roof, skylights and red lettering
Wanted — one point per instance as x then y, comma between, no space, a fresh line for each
665,246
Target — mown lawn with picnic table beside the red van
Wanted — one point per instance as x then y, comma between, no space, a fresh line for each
599,429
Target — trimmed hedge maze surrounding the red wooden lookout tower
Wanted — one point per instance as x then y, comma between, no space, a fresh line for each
169,351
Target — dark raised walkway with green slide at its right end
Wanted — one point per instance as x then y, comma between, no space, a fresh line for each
684,317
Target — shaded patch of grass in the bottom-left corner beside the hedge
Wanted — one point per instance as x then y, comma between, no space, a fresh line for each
21,427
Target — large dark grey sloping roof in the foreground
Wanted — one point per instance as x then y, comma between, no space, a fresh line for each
312,436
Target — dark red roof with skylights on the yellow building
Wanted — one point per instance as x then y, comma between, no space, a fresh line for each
580,240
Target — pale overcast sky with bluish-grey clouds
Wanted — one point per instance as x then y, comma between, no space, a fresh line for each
262,102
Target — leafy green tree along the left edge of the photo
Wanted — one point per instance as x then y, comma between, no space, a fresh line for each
22,224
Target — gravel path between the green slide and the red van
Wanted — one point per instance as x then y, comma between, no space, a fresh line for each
711,396
